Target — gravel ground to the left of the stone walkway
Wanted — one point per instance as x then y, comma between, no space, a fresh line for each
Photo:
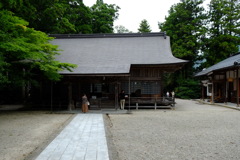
25,133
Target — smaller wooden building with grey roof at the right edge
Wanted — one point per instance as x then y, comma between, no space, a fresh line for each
220,82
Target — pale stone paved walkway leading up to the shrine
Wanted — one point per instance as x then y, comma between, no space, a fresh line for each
82,139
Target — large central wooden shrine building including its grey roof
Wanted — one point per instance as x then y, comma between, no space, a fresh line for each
109,63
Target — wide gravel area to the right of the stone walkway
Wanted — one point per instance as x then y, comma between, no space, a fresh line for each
191,131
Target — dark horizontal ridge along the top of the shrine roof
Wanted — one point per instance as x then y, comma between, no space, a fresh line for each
109,35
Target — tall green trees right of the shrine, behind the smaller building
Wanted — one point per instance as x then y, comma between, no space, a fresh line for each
202,36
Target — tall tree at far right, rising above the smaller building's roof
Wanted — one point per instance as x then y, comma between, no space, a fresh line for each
224,30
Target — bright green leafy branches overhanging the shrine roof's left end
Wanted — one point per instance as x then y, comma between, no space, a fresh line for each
25,52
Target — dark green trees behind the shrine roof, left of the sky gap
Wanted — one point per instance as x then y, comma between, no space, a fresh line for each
65,16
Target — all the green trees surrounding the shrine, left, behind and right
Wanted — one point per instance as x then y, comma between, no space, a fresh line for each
204,36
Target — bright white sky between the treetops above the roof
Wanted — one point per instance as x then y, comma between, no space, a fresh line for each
132,12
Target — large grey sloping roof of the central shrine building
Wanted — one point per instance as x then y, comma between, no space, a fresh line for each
114,53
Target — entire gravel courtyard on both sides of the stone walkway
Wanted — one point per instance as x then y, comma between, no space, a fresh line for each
191,131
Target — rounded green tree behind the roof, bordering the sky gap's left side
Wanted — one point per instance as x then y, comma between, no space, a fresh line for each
104,16
